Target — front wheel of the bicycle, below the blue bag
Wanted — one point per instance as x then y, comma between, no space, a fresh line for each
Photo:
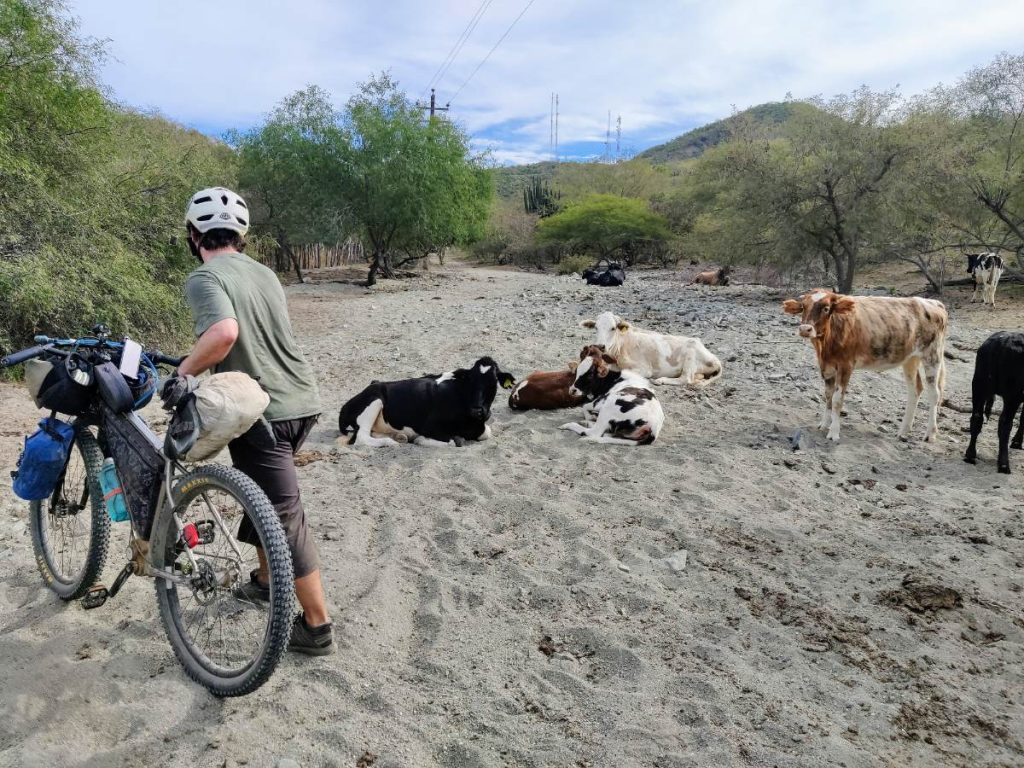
70,531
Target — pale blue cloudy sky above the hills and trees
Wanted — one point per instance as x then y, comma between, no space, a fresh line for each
665,67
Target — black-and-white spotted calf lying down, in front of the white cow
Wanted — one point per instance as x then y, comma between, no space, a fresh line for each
623,408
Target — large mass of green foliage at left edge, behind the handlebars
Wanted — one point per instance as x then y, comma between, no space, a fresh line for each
92,195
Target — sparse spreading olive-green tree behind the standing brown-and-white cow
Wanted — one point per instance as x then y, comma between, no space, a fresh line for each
817,193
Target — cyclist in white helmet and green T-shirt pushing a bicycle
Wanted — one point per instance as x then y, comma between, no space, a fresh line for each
241,319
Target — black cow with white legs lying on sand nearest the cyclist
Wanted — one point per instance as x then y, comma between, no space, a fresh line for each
439,410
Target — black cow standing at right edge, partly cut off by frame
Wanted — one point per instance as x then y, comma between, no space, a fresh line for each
999,370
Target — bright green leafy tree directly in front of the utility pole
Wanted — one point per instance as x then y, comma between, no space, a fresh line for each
410,186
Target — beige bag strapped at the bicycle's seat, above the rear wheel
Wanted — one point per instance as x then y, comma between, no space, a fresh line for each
222,408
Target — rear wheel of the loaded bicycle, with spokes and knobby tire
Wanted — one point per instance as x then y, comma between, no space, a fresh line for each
227,642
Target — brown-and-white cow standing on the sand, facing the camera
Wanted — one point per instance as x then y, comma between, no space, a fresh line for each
876,333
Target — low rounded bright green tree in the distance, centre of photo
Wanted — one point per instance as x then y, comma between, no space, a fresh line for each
606,225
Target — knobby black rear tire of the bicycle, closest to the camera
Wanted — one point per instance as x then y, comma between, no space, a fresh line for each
176,601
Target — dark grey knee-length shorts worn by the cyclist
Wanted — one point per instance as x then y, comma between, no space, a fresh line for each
274,472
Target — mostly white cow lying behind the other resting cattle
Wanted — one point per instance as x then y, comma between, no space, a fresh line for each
666,359
